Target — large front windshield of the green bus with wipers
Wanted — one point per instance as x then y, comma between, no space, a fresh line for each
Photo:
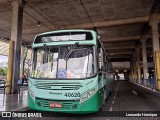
64,62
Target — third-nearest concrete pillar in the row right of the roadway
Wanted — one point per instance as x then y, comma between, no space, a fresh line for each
138,64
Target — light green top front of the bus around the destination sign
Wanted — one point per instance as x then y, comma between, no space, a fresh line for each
67,36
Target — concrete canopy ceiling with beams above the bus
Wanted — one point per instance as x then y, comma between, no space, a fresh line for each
120,23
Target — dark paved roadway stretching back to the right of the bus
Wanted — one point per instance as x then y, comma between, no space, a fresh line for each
130,97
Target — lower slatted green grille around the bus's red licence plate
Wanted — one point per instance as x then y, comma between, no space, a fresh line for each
66,104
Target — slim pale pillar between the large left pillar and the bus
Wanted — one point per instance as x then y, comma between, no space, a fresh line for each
22,61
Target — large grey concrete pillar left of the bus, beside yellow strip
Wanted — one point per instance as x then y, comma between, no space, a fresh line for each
16,35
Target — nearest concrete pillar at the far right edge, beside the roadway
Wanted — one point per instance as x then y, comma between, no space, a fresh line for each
155,40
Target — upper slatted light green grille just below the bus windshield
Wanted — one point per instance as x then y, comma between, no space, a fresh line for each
58,86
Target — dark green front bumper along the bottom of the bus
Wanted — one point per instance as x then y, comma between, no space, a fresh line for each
89,106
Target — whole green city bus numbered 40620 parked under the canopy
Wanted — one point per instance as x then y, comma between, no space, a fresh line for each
71,72
